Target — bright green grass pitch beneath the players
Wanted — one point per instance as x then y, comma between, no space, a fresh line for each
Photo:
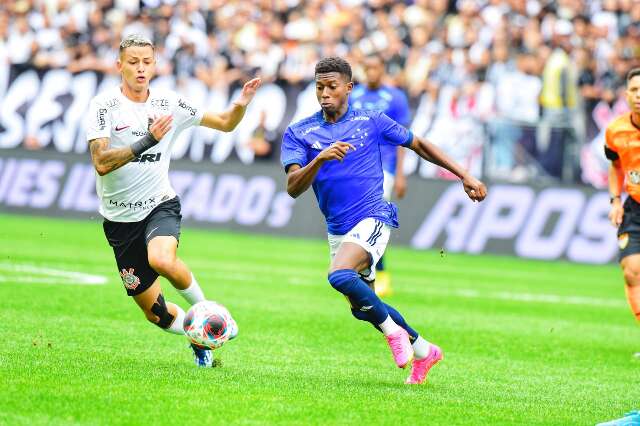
525,342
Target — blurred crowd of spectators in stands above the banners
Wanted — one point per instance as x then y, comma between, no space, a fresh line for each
540,79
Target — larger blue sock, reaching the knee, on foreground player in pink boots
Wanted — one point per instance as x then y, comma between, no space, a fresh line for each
348,282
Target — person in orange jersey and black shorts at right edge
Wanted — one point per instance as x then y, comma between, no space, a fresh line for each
623,149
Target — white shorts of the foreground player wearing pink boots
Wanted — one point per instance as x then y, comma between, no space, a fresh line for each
370,234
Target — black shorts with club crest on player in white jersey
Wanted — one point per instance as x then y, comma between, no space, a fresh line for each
129,242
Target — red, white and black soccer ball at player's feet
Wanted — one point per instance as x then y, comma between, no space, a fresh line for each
208,325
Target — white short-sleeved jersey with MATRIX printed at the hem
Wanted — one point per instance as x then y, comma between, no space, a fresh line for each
129,193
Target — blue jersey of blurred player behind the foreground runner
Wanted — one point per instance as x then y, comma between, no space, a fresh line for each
391,101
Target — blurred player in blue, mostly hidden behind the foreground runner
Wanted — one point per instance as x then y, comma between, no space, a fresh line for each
393,102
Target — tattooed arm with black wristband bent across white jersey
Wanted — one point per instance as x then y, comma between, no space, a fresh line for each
107,159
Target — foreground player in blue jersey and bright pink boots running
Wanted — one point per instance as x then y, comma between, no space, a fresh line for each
337,151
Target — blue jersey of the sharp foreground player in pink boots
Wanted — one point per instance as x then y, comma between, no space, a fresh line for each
351,190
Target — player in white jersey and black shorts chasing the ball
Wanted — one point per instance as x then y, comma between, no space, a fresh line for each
131,130
